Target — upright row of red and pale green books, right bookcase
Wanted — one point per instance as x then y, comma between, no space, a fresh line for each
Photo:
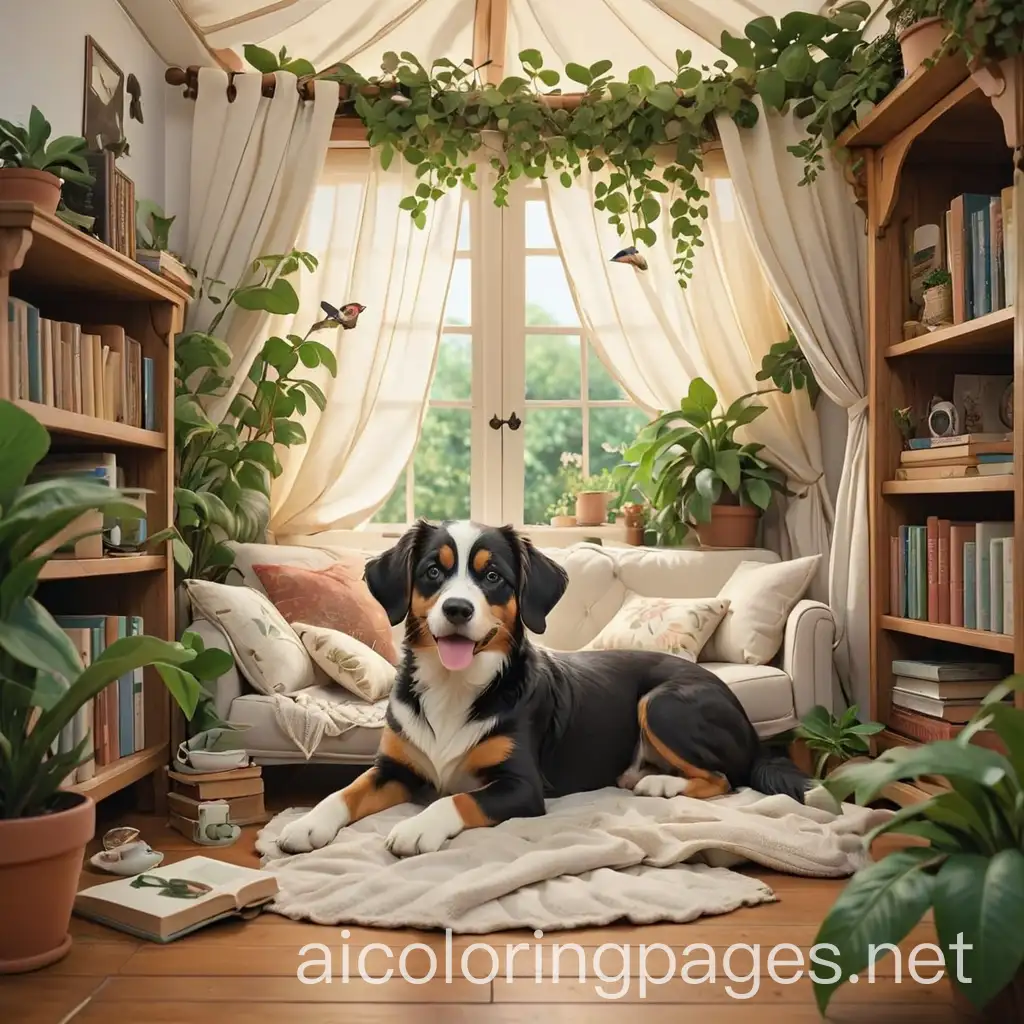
955,573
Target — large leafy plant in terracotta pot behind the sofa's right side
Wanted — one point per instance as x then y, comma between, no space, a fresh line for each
698,476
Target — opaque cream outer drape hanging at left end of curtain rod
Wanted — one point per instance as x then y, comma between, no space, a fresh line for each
255,162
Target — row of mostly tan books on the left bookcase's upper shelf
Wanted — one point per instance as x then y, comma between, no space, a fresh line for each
93,369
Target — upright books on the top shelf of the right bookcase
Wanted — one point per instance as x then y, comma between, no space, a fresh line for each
980,253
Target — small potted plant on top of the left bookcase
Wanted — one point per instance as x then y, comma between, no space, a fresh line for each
32,167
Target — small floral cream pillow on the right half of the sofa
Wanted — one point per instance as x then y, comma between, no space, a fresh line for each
671,625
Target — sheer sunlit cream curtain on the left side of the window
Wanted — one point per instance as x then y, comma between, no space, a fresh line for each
370,252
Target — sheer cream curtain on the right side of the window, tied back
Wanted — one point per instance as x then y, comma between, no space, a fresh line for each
657,337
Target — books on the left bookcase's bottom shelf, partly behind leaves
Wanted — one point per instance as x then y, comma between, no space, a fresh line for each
113,722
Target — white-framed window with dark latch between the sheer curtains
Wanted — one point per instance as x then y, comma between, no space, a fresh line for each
513,343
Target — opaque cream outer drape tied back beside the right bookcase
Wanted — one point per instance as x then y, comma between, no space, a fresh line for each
812,241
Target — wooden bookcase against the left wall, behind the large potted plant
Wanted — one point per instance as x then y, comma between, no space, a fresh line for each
72,277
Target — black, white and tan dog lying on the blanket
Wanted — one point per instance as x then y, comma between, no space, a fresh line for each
483,726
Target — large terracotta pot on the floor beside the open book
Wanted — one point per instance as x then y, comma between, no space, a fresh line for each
40,864
